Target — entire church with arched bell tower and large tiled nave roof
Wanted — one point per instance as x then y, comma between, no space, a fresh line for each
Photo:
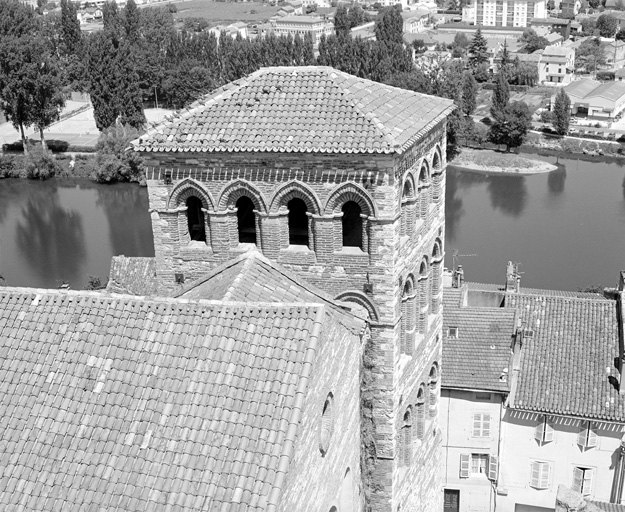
213,377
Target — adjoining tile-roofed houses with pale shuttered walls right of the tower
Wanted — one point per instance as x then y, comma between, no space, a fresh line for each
557,417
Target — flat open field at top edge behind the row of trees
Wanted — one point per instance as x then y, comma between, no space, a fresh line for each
224,12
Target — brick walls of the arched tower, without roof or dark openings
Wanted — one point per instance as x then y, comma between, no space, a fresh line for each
403,228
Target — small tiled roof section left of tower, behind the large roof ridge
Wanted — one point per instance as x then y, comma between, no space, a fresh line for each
134,276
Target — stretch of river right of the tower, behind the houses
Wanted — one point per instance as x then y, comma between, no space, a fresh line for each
565,228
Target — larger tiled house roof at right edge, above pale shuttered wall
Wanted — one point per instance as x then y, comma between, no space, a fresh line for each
563,365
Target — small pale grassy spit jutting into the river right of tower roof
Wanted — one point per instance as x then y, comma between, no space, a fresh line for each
493,162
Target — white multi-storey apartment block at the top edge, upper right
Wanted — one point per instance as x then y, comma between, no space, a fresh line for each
503,13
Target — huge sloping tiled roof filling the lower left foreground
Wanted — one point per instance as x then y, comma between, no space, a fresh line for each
120,403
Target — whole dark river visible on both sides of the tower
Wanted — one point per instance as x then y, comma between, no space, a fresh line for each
566,228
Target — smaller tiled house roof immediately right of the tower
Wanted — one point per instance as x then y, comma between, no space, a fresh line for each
477,358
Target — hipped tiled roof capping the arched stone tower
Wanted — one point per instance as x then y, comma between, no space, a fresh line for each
300,109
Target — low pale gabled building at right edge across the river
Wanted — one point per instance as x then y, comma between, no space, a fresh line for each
595,99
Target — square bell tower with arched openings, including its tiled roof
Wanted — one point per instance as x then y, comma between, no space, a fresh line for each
322,185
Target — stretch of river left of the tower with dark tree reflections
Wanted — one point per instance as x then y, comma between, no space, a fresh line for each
65,230
